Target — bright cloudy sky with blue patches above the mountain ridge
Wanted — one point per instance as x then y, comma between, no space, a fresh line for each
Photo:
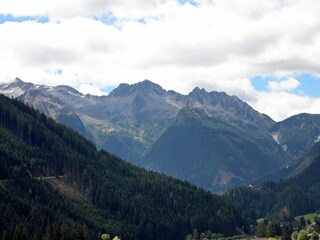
265,52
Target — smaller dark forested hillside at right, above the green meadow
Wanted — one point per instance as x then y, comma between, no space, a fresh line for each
297,195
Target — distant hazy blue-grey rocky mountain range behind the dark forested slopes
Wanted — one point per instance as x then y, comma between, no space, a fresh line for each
211,139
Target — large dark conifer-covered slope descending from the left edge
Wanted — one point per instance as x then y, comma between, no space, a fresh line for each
106,194
